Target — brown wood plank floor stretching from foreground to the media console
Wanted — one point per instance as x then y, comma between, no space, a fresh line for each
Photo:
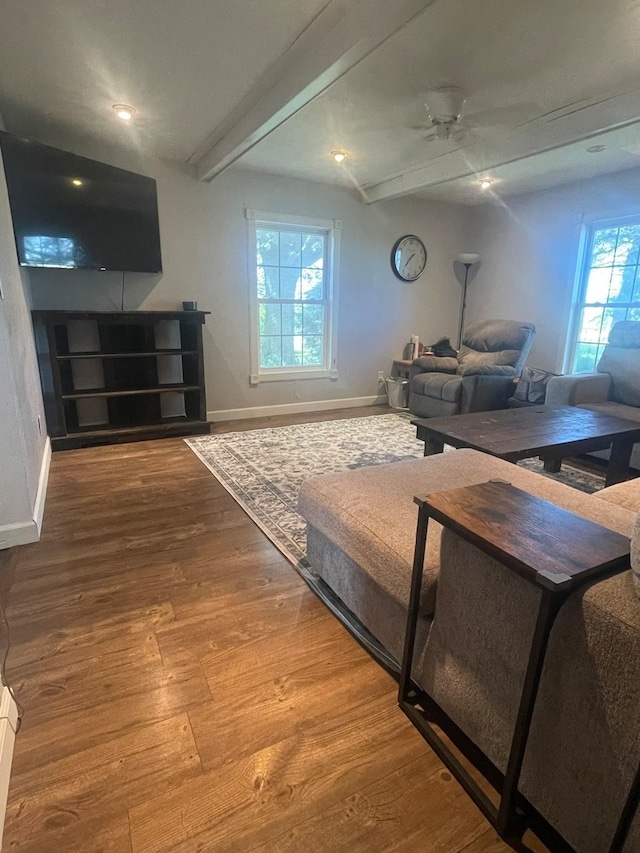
185,691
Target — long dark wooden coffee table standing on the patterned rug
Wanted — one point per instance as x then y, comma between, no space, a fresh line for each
550,433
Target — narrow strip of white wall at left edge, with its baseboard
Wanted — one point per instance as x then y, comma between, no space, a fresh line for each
22,447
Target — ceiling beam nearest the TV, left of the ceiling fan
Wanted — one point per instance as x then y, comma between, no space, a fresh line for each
341,36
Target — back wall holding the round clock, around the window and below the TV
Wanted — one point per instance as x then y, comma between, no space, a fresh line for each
204,248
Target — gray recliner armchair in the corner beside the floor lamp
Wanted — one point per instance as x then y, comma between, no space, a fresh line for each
480,379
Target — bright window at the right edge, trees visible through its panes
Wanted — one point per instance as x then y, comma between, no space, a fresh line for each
609,289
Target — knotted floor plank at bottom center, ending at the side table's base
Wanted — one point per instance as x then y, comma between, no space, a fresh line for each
276,788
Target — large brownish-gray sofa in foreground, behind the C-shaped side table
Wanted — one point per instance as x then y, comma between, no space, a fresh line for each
476,627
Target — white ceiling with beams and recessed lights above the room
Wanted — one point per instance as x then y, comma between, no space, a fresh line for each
274,85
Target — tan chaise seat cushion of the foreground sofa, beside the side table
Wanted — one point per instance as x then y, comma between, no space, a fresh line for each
370,514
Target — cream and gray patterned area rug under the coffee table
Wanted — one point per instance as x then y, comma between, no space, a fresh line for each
263,469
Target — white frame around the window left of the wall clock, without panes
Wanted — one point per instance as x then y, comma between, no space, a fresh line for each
281,221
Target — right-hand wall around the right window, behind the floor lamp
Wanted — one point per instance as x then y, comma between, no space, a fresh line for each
529,249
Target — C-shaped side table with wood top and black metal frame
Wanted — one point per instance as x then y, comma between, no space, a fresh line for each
549,547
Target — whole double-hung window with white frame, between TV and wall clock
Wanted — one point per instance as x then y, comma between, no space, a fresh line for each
293,263
